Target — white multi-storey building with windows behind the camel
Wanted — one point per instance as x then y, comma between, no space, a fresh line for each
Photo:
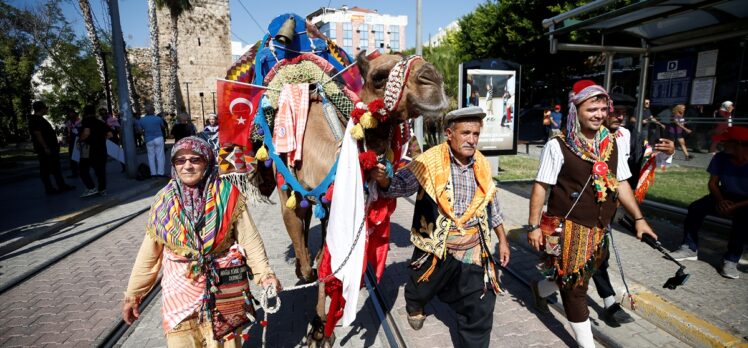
356,29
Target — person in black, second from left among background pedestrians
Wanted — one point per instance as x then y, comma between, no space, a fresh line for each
92,145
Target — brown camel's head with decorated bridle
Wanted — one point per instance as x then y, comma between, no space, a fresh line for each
423,92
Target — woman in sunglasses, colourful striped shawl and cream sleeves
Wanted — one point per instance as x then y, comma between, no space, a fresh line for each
198,226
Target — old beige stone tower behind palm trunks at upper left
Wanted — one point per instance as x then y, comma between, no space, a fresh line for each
204,53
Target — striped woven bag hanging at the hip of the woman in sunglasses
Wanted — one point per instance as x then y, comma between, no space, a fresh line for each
231,302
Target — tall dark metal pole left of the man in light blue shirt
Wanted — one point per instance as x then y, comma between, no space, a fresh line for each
118,49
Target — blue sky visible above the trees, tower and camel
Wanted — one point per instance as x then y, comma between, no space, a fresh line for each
134,15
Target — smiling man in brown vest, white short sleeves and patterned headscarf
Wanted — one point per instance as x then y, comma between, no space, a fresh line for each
585,170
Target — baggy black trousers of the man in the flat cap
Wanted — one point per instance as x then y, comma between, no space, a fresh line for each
459,285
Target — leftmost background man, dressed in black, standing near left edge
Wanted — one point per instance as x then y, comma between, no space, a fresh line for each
47,150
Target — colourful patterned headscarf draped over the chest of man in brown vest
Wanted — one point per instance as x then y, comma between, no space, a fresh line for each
599,151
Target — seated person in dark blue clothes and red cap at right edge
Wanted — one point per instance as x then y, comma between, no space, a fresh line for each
728,197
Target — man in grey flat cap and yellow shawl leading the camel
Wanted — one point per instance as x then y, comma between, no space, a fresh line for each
456,208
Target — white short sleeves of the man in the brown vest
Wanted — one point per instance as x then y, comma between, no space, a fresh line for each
552,159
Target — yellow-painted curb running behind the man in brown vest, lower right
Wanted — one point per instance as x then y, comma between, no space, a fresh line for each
667,316
